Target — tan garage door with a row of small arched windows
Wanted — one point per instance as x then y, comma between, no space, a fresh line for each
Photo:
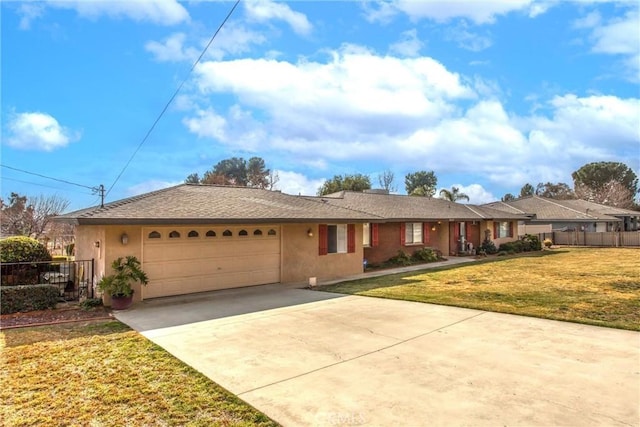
184,260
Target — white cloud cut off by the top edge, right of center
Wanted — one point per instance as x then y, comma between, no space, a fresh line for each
479,12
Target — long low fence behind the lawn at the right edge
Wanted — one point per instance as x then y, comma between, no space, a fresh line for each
583,238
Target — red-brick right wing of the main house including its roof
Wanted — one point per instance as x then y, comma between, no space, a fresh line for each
411,223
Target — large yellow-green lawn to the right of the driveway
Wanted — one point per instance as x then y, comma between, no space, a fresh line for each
593,286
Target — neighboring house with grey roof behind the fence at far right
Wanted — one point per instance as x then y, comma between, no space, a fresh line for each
546,215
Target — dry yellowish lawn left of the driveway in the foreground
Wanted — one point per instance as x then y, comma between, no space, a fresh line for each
104,374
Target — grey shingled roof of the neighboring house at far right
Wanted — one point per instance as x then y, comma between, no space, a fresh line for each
545,209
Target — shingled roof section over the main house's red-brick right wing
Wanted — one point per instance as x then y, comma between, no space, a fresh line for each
406,208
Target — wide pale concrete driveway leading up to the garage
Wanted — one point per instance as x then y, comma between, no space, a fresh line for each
313,358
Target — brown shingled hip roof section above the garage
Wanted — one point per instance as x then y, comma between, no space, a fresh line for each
189,203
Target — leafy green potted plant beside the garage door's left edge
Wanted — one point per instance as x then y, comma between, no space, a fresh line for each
118,285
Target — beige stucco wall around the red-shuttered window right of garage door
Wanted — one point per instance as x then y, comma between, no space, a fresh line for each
300,259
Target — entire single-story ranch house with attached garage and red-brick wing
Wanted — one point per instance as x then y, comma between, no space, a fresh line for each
195,238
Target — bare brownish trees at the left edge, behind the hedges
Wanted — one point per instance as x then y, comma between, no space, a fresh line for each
24,216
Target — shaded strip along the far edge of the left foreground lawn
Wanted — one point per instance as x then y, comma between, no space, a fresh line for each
61,332
